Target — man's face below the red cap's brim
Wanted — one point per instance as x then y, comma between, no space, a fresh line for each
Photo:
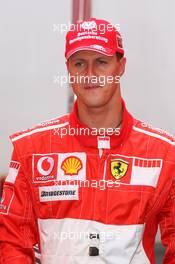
96,76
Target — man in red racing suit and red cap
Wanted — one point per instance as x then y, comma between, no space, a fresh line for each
91,186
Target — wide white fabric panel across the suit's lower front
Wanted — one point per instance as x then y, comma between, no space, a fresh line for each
67,241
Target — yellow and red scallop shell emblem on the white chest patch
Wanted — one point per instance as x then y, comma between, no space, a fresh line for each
71,165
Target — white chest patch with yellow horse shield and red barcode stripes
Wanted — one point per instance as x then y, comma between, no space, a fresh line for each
132,170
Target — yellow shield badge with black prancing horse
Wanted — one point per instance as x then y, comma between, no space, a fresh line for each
119,168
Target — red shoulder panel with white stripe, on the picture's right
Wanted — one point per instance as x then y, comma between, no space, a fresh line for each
148,130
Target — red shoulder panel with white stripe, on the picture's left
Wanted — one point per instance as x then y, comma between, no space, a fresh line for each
40,129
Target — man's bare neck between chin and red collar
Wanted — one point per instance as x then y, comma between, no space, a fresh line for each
105,116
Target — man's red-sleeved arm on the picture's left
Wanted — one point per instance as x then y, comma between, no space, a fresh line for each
18,231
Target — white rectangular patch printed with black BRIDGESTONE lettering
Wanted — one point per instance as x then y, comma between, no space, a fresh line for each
58,193
